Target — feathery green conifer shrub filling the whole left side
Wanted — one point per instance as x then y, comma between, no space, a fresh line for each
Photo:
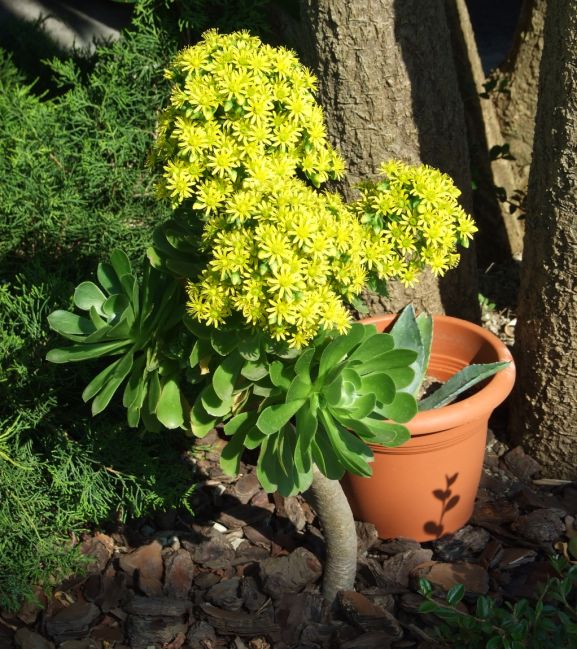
74,183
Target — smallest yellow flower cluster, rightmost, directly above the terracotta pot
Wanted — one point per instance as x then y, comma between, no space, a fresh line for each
414,213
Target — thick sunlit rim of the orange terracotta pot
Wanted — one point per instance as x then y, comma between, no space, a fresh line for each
485,400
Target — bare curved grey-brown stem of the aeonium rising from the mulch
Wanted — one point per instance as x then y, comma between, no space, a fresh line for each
333,509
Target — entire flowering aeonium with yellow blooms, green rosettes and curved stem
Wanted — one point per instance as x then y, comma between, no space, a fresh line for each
243,319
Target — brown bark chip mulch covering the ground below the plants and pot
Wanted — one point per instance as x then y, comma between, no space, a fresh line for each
245,572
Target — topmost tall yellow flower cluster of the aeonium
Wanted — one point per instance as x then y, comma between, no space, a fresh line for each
240,112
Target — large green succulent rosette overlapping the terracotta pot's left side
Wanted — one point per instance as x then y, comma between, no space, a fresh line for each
320,408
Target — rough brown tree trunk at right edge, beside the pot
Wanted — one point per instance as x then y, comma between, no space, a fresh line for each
544,411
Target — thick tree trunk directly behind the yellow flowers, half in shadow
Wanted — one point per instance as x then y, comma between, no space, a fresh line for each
378,64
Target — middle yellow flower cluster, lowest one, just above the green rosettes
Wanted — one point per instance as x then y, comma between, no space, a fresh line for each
282,257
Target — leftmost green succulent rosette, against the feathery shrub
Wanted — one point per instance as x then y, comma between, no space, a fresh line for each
138,324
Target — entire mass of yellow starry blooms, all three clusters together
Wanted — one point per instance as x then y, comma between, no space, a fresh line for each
240,139
